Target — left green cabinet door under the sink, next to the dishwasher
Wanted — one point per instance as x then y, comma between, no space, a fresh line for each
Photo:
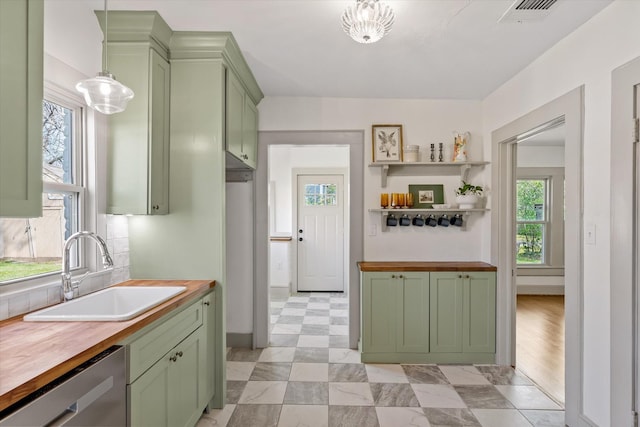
149,396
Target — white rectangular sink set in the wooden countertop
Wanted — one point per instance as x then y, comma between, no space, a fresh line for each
110,305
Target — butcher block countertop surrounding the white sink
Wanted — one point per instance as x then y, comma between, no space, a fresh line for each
32,354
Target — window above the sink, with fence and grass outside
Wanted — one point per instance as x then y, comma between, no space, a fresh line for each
33,246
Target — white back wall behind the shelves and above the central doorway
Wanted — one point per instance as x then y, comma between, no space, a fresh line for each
425,122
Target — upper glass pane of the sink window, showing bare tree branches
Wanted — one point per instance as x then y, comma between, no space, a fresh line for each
57,143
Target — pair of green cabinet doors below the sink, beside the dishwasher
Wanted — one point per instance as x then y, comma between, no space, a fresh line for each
167,394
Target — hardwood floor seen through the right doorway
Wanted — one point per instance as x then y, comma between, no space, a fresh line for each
540,341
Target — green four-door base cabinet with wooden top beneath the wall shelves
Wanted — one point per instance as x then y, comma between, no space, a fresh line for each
428,312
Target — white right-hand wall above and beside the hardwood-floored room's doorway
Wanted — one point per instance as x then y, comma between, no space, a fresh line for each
587,56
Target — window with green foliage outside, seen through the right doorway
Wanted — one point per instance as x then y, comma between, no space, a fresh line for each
531,220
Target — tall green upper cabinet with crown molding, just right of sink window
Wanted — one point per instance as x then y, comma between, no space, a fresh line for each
138,148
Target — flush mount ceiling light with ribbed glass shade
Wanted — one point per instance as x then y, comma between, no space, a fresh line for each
367,21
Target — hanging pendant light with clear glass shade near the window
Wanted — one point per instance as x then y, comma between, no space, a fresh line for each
104,93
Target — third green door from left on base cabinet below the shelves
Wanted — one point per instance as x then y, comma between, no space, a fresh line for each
445,305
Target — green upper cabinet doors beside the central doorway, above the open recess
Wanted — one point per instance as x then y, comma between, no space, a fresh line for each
241,125
